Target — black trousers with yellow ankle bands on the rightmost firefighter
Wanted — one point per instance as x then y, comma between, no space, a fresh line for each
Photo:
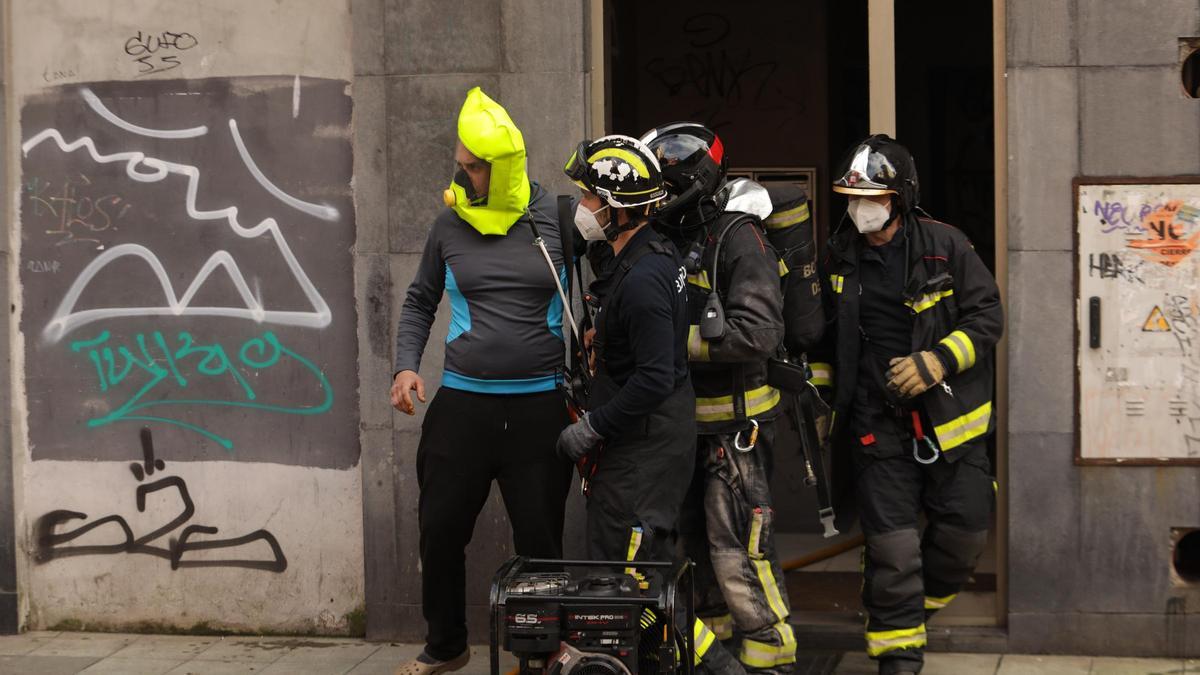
909,575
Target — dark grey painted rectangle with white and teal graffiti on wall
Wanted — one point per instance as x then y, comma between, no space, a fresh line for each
190,271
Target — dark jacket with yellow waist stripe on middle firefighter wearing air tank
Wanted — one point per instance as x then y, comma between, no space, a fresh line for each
730,373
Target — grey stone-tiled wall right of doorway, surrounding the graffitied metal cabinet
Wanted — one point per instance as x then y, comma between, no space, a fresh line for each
1094,89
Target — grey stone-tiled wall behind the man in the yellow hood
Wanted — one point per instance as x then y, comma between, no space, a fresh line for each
413,63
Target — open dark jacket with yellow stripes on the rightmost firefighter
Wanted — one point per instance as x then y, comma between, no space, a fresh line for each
957,314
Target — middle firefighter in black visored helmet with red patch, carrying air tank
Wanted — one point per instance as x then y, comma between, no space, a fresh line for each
736,326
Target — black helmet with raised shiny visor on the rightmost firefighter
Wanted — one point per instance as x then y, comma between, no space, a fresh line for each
880,166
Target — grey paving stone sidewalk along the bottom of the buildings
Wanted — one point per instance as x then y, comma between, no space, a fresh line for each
67,654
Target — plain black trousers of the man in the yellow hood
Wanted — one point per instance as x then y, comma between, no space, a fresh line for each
467,441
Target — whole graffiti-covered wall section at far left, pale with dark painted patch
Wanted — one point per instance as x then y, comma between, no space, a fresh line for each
183,461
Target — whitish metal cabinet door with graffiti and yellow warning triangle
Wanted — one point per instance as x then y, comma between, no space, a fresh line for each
1138,320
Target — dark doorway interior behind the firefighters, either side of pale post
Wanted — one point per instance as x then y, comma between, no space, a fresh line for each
785,85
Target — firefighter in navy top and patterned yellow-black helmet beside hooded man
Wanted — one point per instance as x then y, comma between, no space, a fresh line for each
643,410
